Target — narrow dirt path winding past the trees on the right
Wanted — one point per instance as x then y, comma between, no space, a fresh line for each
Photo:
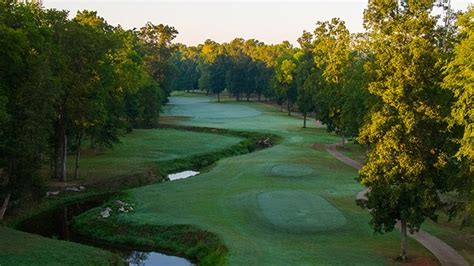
442,251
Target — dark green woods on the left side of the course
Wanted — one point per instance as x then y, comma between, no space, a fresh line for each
64,81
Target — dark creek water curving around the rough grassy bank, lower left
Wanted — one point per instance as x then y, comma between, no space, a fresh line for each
57,224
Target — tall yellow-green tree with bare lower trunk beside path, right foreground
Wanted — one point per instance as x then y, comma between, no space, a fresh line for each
405,170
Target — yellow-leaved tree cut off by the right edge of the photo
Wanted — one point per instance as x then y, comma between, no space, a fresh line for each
460,80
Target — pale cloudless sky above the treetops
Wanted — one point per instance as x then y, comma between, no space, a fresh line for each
196,20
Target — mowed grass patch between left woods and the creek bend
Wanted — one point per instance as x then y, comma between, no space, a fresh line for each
143,149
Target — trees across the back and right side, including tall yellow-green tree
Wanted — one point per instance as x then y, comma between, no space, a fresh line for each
404,88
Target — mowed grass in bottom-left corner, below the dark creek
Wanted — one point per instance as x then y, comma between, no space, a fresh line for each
18,248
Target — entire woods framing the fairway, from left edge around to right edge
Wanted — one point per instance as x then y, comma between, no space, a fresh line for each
404,88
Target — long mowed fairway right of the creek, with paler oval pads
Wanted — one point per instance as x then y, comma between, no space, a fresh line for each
265,210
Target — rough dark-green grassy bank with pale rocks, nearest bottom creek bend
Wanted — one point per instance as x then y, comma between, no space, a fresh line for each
180,240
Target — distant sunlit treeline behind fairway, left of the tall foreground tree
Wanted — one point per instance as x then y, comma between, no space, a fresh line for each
325,76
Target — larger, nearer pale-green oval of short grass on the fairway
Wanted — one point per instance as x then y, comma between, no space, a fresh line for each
299,212
